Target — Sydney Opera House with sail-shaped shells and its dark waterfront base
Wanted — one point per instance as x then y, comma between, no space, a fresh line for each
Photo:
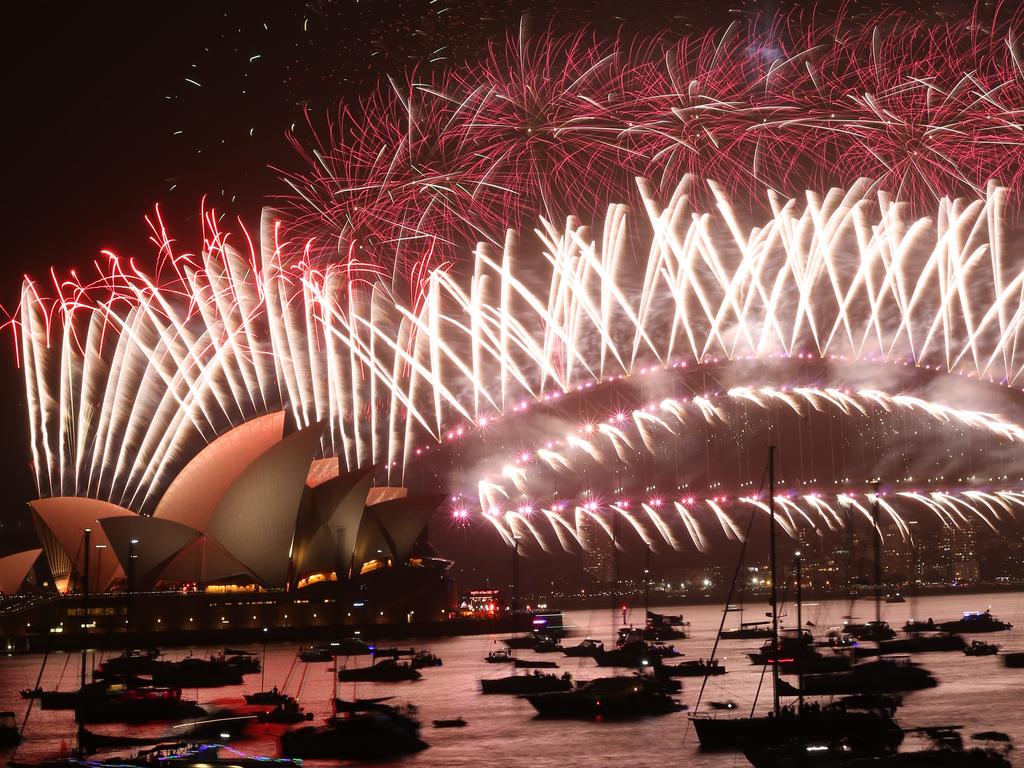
253,533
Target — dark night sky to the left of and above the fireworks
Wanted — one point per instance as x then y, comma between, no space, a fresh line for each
113,108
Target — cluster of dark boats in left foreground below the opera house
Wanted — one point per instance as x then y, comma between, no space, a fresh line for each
143,687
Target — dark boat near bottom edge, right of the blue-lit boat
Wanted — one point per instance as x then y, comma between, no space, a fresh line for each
371,736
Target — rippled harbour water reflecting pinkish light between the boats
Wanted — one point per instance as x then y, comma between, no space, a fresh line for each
978,694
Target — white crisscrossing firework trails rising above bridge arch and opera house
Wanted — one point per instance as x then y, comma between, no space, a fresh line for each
165,366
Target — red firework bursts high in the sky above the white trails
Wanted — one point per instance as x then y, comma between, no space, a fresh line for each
560,125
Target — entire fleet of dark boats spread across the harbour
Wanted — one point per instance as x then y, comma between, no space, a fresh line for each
835,700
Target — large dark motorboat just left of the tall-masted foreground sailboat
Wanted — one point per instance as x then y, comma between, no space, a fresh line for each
606,698
